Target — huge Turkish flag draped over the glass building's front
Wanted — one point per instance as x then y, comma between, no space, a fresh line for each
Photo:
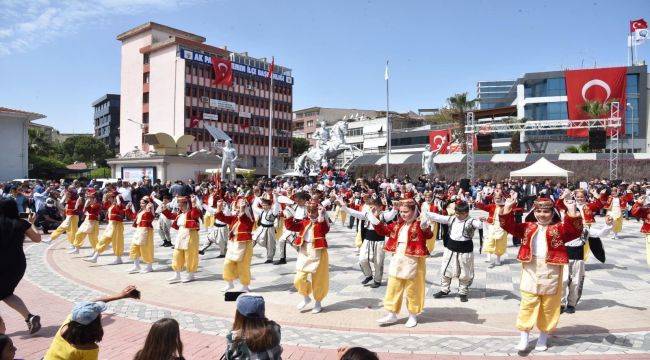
603,85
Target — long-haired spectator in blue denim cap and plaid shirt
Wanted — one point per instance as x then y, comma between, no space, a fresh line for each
253,336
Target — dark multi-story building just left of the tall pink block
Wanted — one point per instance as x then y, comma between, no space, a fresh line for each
107,120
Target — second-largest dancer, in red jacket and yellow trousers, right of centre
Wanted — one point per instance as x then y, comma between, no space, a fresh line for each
407,270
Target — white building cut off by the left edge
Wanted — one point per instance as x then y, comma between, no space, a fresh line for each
14,142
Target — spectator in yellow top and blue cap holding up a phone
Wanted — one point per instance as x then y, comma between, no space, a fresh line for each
77,338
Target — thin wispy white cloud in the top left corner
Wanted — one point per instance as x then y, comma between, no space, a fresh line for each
29,24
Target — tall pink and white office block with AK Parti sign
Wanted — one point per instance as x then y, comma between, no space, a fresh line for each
167,86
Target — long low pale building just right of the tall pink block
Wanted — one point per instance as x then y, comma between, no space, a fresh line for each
305,121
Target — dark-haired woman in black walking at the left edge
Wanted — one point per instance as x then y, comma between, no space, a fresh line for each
12,258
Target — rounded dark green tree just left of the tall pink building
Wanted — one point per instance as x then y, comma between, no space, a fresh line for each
86,149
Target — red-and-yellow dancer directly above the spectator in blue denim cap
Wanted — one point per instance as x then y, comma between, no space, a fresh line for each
239,250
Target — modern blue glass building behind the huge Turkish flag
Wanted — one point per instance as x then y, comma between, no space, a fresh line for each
543,96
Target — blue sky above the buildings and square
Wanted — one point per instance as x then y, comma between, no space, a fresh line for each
57,57
